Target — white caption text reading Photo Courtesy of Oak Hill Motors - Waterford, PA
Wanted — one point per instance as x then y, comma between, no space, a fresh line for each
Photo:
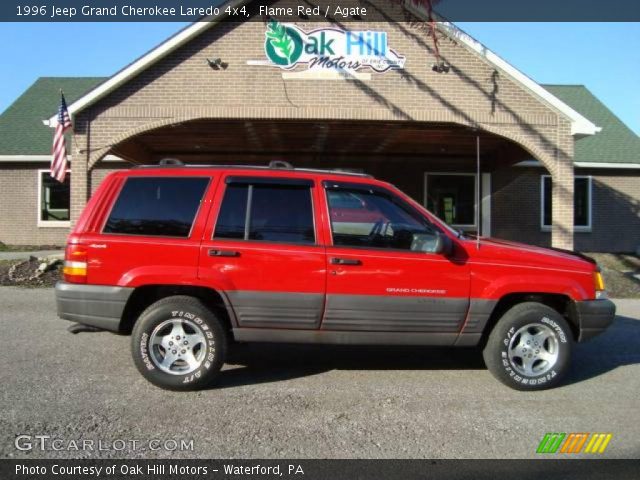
160,470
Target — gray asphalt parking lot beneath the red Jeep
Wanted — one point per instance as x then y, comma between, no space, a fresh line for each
278,401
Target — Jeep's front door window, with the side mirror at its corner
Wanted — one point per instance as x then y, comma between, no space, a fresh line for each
376,219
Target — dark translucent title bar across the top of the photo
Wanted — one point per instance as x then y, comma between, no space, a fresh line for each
311,10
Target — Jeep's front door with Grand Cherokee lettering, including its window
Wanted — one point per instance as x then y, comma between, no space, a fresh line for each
376,280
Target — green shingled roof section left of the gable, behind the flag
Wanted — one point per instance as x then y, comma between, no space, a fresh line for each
21,129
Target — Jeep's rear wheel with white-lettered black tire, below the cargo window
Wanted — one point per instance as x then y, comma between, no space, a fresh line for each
207,352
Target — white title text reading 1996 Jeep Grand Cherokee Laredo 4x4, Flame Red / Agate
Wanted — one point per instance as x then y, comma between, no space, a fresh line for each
156,11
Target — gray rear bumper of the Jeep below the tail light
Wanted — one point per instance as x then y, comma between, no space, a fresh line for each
96,305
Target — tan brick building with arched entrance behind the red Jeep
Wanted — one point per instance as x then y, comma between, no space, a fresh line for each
556,166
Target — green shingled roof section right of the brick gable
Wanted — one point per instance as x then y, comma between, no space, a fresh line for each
616,143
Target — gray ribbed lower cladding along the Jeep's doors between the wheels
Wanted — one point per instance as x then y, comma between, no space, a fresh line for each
359,319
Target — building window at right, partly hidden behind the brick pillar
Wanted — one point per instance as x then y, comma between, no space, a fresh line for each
582,193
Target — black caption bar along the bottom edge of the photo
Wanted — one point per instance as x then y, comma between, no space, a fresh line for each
319,469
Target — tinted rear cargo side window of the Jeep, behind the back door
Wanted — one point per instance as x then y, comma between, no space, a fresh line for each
157,206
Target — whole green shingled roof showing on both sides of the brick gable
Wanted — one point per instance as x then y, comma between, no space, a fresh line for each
23,133
